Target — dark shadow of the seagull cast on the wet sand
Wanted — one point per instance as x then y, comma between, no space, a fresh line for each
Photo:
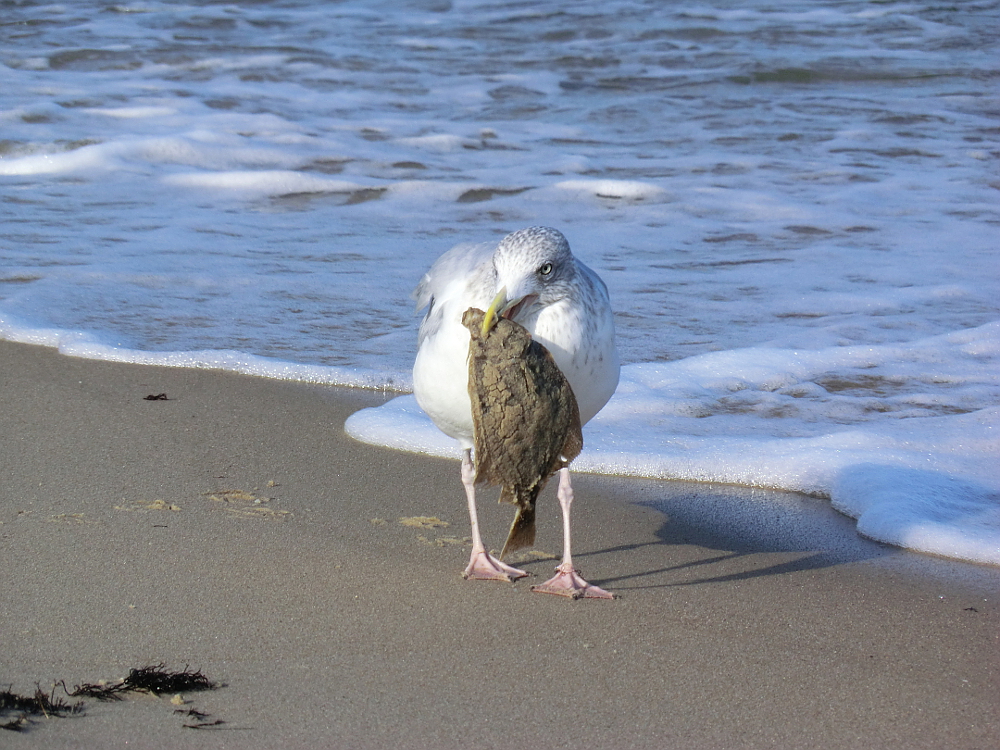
714,534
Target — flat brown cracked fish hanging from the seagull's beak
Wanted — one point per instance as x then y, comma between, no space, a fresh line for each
526,423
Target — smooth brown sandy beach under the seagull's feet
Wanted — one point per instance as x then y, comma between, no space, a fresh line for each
234,528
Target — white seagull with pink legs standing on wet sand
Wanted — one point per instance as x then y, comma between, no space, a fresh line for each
532,278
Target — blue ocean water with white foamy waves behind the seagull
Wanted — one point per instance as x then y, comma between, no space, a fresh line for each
796,208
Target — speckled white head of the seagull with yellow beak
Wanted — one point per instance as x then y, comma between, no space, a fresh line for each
534,268
